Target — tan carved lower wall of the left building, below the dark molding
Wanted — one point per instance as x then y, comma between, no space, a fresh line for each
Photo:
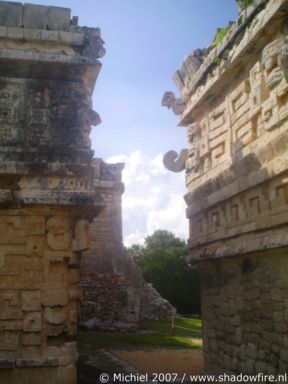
39,295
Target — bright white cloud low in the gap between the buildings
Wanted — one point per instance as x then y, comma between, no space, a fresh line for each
153,198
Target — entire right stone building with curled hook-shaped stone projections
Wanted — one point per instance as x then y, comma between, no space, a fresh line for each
234,103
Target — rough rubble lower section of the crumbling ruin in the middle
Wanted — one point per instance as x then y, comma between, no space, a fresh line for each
119,300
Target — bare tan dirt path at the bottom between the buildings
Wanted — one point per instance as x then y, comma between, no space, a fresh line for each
164,360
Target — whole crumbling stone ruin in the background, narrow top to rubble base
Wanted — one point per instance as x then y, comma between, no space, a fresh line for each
115,295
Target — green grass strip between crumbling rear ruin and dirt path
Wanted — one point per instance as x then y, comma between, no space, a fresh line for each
156,334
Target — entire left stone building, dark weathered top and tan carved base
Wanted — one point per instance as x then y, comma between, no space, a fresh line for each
48,68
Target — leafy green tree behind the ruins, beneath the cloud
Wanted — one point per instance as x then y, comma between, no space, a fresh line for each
162,261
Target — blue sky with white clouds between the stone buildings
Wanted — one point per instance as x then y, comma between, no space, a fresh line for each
146,42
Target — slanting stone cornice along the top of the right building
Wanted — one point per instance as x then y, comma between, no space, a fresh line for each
234,51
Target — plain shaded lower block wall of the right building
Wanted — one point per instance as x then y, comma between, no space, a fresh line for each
245,314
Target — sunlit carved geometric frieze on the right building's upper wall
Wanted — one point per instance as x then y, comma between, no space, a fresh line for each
250,115
